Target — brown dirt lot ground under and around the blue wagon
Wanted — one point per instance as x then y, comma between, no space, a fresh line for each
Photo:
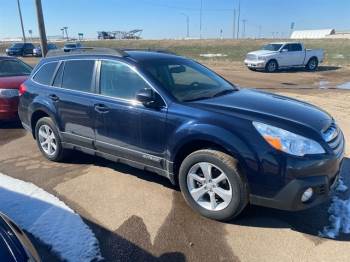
138,216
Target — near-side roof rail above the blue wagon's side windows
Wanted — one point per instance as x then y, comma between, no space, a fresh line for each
87,51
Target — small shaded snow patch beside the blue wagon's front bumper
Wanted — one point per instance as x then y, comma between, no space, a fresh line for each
339,214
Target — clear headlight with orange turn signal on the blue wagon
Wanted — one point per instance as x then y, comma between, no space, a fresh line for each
288,142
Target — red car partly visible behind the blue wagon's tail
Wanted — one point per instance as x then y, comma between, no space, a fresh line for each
13,72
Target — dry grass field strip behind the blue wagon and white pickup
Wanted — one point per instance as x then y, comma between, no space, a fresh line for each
337,51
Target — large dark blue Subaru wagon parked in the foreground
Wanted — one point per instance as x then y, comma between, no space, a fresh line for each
225,146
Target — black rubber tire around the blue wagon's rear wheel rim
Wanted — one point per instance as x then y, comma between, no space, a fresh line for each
60,152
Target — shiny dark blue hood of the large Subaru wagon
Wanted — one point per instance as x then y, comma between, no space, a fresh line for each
253,104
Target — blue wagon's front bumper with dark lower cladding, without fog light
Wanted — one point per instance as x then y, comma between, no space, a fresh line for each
320,175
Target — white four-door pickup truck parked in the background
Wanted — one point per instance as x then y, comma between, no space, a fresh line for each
284,55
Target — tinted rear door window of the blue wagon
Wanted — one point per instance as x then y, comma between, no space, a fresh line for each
78,75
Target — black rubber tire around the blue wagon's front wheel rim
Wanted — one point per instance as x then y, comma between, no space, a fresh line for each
228,165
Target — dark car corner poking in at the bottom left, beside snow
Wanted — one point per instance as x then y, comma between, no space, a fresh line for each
15,246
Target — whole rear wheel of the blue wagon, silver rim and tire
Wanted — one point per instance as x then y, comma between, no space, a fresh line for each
48,139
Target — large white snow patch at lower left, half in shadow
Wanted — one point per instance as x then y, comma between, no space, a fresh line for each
48,219
